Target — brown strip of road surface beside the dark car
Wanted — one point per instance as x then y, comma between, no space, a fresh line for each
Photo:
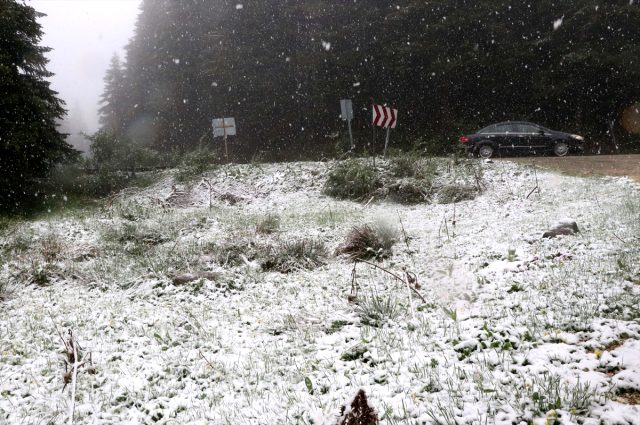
595,165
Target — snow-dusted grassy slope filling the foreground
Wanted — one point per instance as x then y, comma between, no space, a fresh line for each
516,328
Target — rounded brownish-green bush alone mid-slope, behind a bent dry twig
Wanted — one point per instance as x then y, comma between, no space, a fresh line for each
369,242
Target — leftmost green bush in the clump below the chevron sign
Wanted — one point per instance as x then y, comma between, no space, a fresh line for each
352,179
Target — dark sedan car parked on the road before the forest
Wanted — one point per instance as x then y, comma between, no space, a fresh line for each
520,137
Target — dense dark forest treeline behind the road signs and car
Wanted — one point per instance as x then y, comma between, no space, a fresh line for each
450,66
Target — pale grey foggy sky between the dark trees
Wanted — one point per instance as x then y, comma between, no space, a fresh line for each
84,34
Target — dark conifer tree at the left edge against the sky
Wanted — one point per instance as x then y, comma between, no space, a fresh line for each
30,143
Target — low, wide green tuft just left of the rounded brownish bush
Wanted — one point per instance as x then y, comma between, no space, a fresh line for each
305,254
